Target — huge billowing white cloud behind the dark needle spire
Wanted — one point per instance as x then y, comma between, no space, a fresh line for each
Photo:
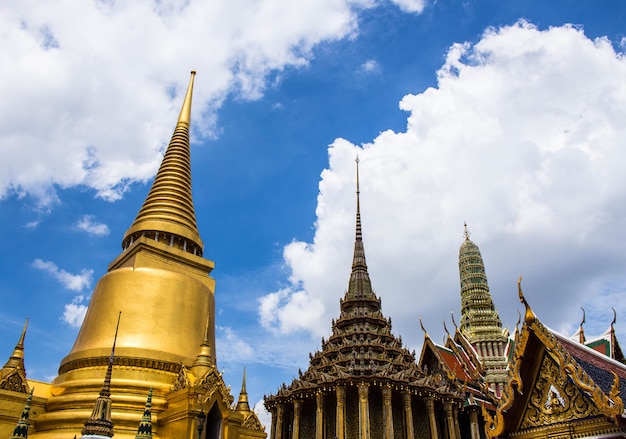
523,138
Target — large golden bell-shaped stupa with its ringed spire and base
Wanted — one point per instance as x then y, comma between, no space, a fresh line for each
165,347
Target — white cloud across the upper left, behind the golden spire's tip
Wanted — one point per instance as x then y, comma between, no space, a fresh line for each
92,104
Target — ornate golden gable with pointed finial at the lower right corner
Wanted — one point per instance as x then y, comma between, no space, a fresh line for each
548,393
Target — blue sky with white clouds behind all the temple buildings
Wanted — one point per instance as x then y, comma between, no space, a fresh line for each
507,115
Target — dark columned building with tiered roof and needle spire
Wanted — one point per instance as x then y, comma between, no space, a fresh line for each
364,383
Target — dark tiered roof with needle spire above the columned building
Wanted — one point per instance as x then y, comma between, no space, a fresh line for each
362,346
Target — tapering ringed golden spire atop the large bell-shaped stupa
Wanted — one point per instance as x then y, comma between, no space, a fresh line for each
167,214
